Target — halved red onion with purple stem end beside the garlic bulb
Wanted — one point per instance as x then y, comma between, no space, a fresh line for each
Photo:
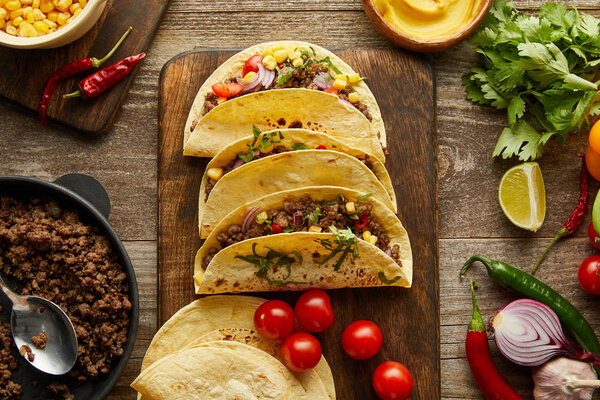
529,333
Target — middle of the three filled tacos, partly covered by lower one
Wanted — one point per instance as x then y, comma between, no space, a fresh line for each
272,161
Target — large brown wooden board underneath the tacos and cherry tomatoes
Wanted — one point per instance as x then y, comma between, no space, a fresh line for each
409,318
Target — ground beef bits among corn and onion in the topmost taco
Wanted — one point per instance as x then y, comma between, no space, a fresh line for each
300,78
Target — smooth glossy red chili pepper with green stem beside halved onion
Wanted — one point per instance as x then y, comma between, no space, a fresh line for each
489,380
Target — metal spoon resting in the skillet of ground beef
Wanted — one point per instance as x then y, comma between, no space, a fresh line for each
32,315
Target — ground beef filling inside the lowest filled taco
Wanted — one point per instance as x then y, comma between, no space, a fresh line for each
326,215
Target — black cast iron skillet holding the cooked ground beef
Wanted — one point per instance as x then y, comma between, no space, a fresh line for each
88,196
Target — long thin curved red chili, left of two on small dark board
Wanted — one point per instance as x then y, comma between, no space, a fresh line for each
68,71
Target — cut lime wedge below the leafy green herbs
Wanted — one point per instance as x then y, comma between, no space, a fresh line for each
522,196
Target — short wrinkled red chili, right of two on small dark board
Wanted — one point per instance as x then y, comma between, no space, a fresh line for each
101,81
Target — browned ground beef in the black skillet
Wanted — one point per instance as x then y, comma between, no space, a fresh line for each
52,254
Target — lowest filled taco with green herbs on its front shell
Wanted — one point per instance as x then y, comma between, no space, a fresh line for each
325,237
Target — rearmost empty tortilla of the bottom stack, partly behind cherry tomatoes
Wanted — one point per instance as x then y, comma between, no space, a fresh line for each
224,318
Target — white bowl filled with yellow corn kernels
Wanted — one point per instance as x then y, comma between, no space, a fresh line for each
45,24
